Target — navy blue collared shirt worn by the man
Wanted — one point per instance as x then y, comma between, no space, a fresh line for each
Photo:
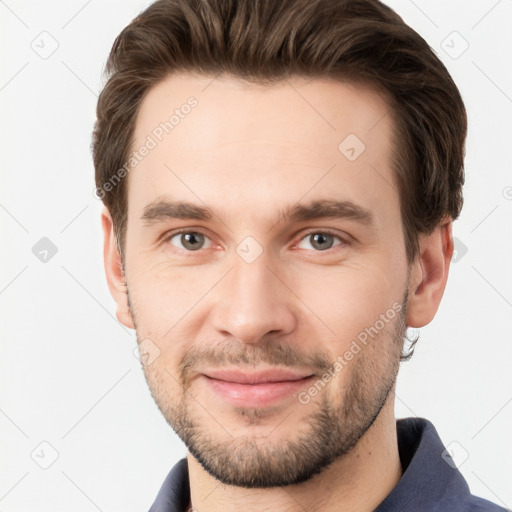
430,483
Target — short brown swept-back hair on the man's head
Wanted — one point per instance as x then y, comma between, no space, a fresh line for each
262,41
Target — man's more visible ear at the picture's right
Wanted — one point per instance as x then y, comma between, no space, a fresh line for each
429,274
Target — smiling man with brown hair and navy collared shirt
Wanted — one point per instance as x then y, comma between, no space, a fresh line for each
234,138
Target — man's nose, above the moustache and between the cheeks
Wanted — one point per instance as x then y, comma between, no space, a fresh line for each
254,301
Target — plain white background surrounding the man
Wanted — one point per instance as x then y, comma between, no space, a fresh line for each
68,375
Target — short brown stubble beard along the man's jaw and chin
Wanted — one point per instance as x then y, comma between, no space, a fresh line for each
329,432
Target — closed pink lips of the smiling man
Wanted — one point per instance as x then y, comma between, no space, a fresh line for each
257,389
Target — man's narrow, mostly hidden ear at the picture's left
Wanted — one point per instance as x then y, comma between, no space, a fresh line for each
114,271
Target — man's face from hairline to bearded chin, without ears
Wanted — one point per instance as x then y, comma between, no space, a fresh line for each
253,289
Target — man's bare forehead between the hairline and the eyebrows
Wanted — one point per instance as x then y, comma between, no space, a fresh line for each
211,138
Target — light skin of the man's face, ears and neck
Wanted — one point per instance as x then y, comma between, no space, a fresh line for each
248,151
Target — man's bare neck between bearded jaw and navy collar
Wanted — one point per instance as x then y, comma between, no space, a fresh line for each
358,481
